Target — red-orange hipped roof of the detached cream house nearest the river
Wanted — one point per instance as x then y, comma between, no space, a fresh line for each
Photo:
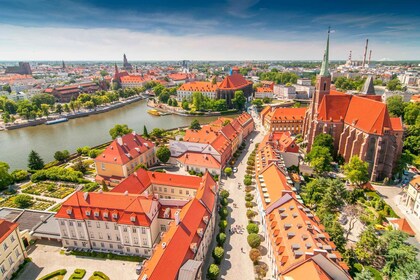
125,148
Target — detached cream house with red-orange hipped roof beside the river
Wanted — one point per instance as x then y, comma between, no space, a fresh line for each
121,157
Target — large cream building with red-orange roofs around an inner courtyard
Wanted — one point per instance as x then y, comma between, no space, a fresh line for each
149,214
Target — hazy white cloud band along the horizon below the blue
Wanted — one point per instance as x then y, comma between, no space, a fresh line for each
47,43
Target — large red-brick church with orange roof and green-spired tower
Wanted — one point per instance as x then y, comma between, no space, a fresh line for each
359,124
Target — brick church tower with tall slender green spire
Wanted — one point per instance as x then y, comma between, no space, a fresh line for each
323,80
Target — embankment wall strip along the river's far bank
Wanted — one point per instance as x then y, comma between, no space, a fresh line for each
97,110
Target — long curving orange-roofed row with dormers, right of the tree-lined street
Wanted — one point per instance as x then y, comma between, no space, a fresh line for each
298,246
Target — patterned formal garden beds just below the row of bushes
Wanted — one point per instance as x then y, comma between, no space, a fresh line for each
49,189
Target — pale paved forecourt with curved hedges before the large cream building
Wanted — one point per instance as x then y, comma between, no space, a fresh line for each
46,258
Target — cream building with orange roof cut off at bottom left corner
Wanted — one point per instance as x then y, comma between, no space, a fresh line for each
12,251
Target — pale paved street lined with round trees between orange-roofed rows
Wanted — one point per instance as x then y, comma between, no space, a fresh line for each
237,264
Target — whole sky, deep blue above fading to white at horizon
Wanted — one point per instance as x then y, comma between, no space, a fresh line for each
207,30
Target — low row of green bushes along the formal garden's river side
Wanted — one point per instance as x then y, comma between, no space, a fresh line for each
58,174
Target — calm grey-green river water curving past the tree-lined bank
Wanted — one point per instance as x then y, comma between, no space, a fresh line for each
15,145
